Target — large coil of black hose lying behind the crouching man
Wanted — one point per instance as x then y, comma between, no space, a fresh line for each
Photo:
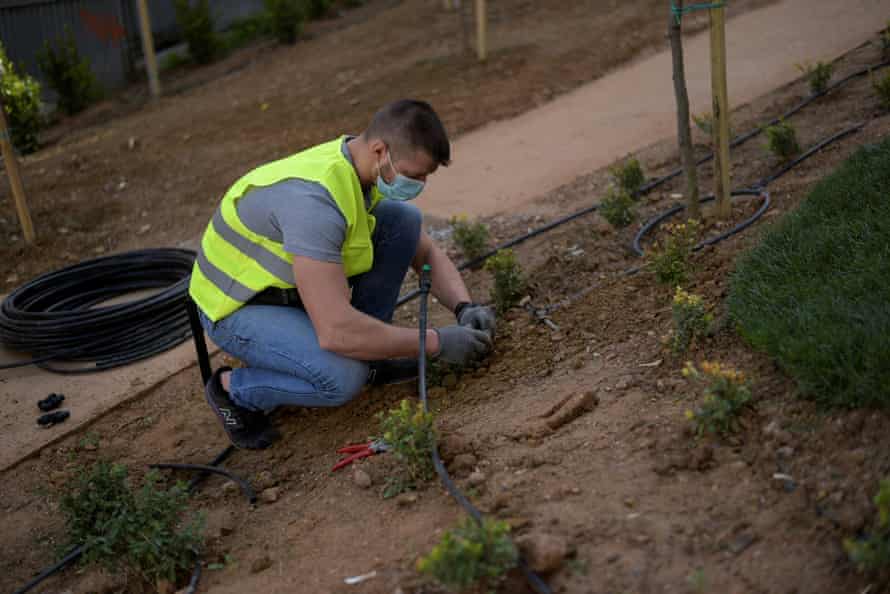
57,317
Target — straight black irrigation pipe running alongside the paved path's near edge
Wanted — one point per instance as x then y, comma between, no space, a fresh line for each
658,181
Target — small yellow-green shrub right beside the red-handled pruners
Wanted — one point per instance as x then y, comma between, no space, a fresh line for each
410,433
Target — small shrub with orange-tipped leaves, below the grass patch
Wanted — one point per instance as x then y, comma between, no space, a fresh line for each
726,395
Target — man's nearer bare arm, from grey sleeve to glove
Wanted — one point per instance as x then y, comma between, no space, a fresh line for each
341,328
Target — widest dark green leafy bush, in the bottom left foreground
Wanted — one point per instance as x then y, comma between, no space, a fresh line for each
144,530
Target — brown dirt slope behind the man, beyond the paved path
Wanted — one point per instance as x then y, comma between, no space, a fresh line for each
128,174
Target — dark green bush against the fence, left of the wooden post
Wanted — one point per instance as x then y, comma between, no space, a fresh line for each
68,74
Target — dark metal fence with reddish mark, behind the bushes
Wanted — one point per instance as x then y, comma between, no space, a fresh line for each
106,31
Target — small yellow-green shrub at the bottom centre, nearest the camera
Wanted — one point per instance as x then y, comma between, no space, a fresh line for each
470,554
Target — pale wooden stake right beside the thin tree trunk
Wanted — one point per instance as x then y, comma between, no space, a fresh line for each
722,188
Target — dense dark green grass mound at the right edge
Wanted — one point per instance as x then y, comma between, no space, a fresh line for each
814,293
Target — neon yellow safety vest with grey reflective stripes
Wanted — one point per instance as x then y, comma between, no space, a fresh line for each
234,263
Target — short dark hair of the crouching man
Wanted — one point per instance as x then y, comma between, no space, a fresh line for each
408,125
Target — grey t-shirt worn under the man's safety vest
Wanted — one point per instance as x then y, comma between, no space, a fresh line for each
300,214
